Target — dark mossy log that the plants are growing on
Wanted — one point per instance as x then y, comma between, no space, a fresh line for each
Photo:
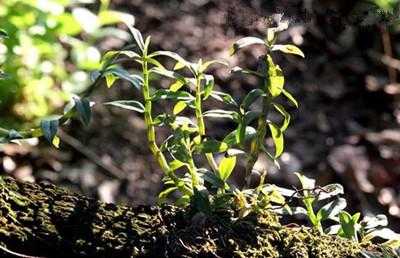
42,220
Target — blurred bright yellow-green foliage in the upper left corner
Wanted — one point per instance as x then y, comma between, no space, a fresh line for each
50,49
